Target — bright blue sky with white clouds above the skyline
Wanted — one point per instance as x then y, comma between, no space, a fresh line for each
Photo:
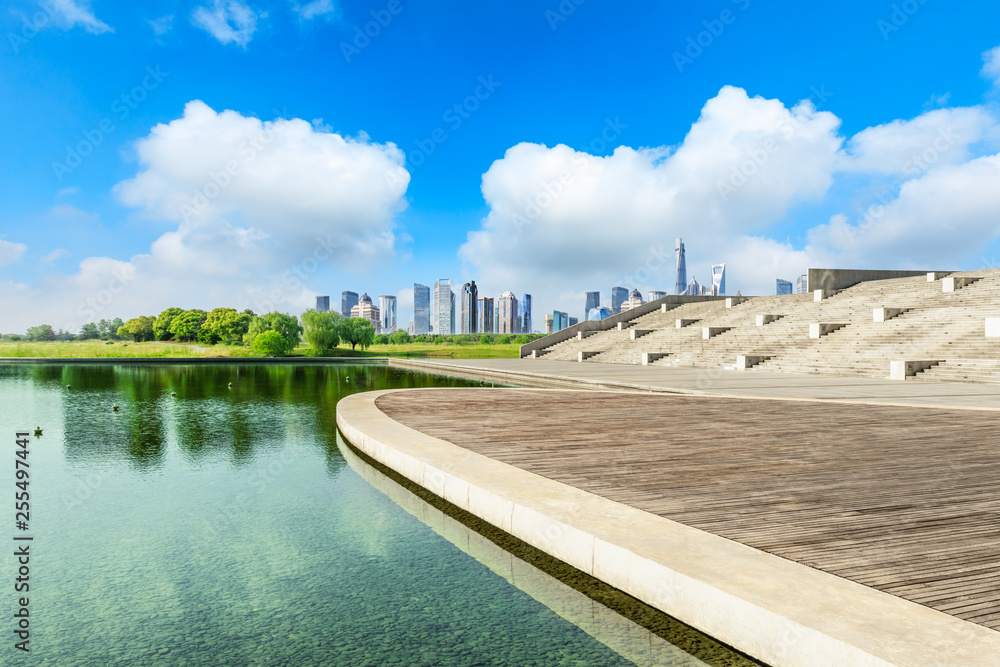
662,119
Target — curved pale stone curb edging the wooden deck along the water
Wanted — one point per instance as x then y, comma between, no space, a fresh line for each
775,610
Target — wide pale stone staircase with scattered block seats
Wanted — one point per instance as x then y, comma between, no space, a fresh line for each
837,335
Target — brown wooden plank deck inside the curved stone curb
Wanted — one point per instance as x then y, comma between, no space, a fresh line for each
904,500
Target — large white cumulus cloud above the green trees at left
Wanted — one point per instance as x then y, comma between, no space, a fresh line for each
262,213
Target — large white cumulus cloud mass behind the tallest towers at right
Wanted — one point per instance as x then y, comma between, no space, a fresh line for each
562,221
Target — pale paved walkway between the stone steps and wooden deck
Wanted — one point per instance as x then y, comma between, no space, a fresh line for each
743,384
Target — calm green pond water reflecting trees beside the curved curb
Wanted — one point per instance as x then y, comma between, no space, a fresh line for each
225,525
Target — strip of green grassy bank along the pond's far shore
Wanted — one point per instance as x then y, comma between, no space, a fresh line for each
127,350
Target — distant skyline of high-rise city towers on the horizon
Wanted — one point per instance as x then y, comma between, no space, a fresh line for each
435,309
